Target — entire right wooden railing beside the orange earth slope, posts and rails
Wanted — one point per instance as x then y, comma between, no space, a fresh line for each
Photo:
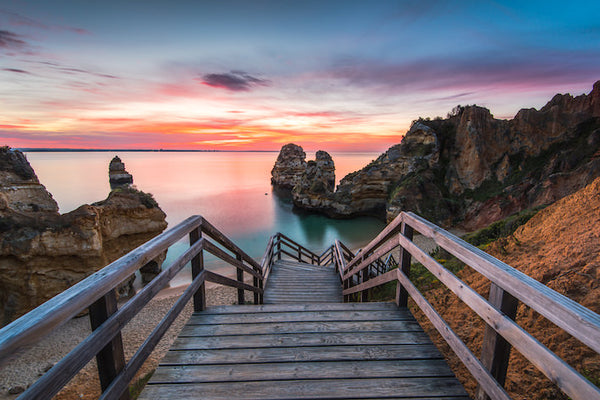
508,287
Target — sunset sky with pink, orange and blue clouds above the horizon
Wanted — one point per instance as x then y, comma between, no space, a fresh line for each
254,75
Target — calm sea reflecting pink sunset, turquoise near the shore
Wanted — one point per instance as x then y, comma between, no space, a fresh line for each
232,190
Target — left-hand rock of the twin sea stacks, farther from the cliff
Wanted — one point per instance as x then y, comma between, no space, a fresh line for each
289,167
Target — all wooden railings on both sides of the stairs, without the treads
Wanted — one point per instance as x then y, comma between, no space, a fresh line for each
372,266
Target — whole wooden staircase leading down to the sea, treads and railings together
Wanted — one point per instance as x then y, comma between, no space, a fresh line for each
305,342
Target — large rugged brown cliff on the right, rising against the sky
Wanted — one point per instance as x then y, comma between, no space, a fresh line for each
473,169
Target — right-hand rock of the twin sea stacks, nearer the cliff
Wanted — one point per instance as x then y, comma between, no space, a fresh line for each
316,184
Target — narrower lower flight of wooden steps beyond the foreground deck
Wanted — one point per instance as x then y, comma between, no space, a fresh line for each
294,282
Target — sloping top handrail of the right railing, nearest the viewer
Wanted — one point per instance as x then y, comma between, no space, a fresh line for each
575,319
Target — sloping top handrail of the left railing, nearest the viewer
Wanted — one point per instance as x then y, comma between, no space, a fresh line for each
39,322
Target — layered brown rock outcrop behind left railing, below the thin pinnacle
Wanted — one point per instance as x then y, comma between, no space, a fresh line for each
43,252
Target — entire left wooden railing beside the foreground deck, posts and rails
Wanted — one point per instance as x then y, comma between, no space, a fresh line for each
97,293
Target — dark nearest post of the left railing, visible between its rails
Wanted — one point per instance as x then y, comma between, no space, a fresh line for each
111,359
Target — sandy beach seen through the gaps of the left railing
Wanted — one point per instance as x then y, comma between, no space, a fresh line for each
24,369
